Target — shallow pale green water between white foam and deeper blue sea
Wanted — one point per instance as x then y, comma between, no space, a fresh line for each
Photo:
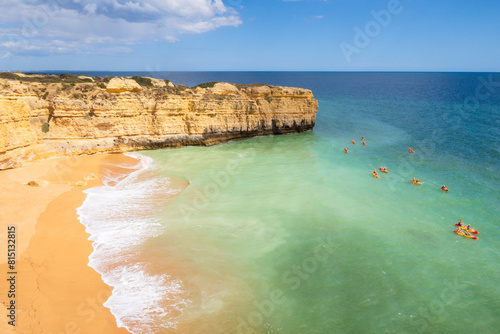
298,219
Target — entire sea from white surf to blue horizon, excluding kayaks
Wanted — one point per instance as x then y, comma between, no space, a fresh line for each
288,234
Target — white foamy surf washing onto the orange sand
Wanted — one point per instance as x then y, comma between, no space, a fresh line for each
119,219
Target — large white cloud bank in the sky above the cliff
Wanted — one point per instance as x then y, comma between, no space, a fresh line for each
87,25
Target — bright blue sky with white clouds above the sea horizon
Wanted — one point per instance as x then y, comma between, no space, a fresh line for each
250,35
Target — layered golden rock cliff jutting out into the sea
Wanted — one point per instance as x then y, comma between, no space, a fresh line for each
39,120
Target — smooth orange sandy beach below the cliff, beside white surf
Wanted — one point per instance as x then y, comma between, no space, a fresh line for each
55,289
